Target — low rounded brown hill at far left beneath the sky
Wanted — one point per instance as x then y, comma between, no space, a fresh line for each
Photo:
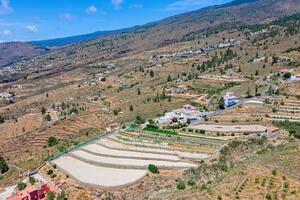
17,51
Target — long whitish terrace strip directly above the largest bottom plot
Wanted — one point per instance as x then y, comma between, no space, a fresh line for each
126,162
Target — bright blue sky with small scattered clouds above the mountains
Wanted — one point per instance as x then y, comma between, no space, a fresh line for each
26,20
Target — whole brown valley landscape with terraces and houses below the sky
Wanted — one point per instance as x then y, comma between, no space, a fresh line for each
203,105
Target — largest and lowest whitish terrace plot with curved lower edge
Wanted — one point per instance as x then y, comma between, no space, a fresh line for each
96,175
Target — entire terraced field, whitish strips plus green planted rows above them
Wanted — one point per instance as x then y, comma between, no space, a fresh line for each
123,158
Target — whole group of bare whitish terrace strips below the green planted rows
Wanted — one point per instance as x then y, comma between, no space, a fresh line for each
114,163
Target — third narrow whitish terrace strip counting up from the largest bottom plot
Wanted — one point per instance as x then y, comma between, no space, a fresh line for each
97,149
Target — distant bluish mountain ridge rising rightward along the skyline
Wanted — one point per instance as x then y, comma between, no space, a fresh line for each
238,11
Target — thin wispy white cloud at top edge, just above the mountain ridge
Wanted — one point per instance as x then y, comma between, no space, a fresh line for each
183,5
